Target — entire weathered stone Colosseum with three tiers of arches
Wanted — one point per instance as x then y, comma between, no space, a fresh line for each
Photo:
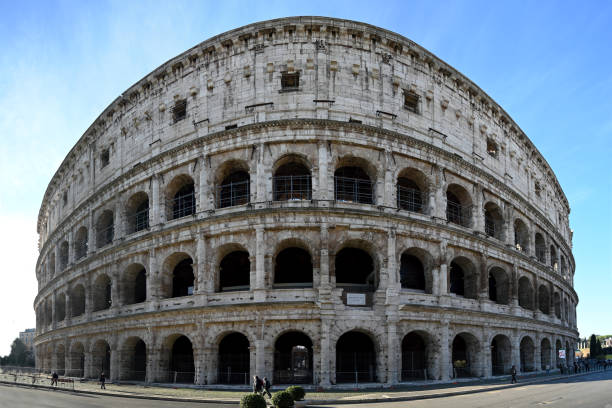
310,199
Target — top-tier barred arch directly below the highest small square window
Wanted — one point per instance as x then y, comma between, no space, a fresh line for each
292,181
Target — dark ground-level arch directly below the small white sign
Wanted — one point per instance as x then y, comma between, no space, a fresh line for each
355,358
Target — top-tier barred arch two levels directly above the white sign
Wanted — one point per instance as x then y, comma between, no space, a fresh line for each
352,184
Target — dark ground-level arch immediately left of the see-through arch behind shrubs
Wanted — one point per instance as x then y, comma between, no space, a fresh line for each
234,360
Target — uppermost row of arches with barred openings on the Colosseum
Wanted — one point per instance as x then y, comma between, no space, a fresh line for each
354,181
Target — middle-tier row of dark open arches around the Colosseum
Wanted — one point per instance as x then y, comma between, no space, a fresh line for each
352,268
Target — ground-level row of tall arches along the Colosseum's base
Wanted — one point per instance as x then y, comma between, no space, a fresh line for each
356,354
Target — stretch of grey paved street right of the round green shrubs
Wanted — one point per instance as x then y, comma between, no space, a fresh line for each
590,391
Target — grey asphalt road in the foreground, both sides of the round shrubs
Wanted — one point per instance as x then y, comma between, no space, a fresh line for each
590,391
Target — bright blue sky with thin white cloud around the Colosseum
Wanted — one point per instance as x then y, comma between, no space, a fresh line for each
548,64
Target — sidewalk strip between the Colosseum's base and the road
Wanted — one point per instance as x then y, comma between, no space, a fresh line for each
403,392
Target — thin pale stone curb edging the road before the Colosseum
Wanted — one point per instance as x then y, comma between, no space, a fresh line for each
308,402
